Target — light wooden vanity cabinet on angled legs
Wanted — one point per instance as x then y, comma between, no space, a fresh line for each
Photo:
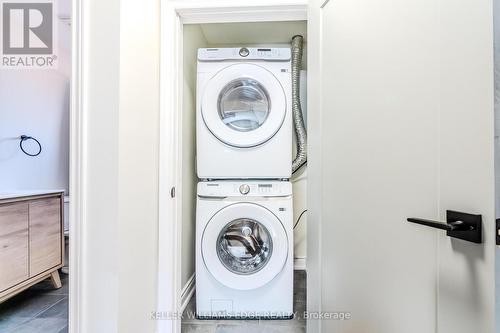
31,241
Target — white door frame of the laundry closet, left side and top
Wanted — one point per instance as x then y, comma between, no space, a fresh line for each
174,14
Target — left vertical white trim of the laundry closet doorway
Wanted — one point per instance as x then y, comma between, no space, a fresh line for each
168,229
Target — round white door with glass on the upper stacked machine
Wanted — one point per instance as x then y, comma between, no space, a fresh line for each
243,105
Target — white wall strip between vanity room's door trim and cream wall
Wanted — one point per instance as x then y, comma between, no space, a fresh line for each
100,132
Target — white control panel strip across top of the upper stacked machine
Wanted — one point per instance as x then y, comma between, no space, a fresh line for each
245,53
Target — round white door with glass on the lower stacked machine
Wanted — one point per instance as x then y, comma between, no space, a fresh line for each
244,246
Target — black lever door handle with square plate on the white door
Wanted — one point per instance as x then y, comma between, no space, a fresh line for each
458,225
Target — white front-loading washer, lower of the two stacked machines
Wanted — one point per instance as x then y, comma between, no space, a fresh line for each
244,250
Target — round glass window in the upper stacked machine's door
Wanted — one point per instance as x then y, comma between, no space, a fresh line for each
244,104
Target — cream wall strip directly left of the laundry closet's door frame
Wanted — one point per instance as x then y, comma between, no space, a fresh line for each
138,164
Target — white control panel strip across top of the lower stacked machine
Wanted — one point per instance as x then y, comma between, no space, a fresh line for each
244,188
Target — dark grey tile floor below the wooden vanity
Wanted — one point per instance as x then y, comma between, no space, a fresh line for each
40,308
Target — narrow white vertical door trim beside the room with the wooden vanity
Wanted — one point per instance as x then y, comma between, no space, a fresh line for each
77,171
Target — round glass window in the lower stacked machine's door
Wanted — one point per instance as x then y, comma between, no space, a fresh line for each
244,246
